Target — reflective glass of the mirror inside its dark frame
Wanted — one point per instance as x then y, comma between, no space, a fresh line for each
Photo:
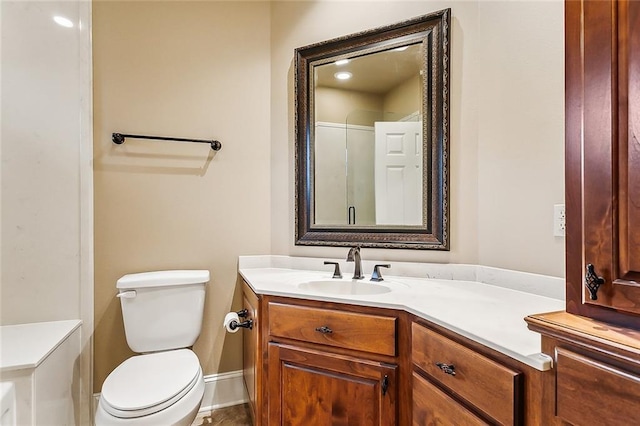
368,139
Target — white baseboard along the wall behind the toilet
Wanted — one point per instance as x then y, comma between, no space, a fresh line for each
220,390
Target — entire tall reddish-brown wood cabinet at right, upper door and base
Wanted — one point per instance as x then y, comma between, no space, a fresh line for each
595,344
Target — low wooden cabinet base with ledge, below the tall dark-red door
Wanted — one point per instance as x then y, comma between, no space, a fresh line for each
597,369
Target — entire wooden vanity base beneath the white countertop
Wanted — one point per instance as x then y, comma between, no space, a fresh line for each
311,362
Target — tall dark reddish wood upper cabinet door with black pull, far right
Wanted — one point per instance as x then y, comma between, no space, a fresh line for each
603,157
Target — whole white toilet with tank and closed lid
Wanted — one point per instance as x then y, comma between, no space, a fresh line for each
162,314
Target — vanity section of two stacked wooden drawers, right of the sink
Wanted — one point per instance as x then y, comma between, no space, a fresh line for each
454,384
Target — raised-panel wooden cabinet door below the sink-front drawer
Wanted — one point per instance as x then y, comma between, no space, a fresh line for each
308,387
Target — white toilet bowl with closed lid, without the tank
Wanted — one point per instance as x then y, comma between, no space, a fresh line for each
164,388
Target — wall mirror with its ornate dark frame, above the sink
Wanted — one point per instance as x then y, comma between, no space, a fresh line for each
372,136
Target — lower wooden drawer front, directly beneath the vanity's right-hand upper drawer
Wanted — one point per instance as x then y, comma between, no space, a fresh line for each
431,406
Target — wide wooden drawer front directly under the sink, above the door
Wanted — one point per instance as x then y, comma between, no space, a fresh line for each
349,330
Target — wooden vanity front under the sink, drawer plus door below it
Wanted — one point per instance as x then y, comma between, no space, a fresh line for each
331,364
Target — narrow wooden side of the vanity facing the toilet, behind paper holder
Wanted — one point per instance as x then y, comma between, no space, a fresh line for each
251,357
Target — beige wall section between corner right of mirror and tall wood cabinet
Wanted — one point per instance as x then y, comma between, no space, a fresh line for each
521,135
